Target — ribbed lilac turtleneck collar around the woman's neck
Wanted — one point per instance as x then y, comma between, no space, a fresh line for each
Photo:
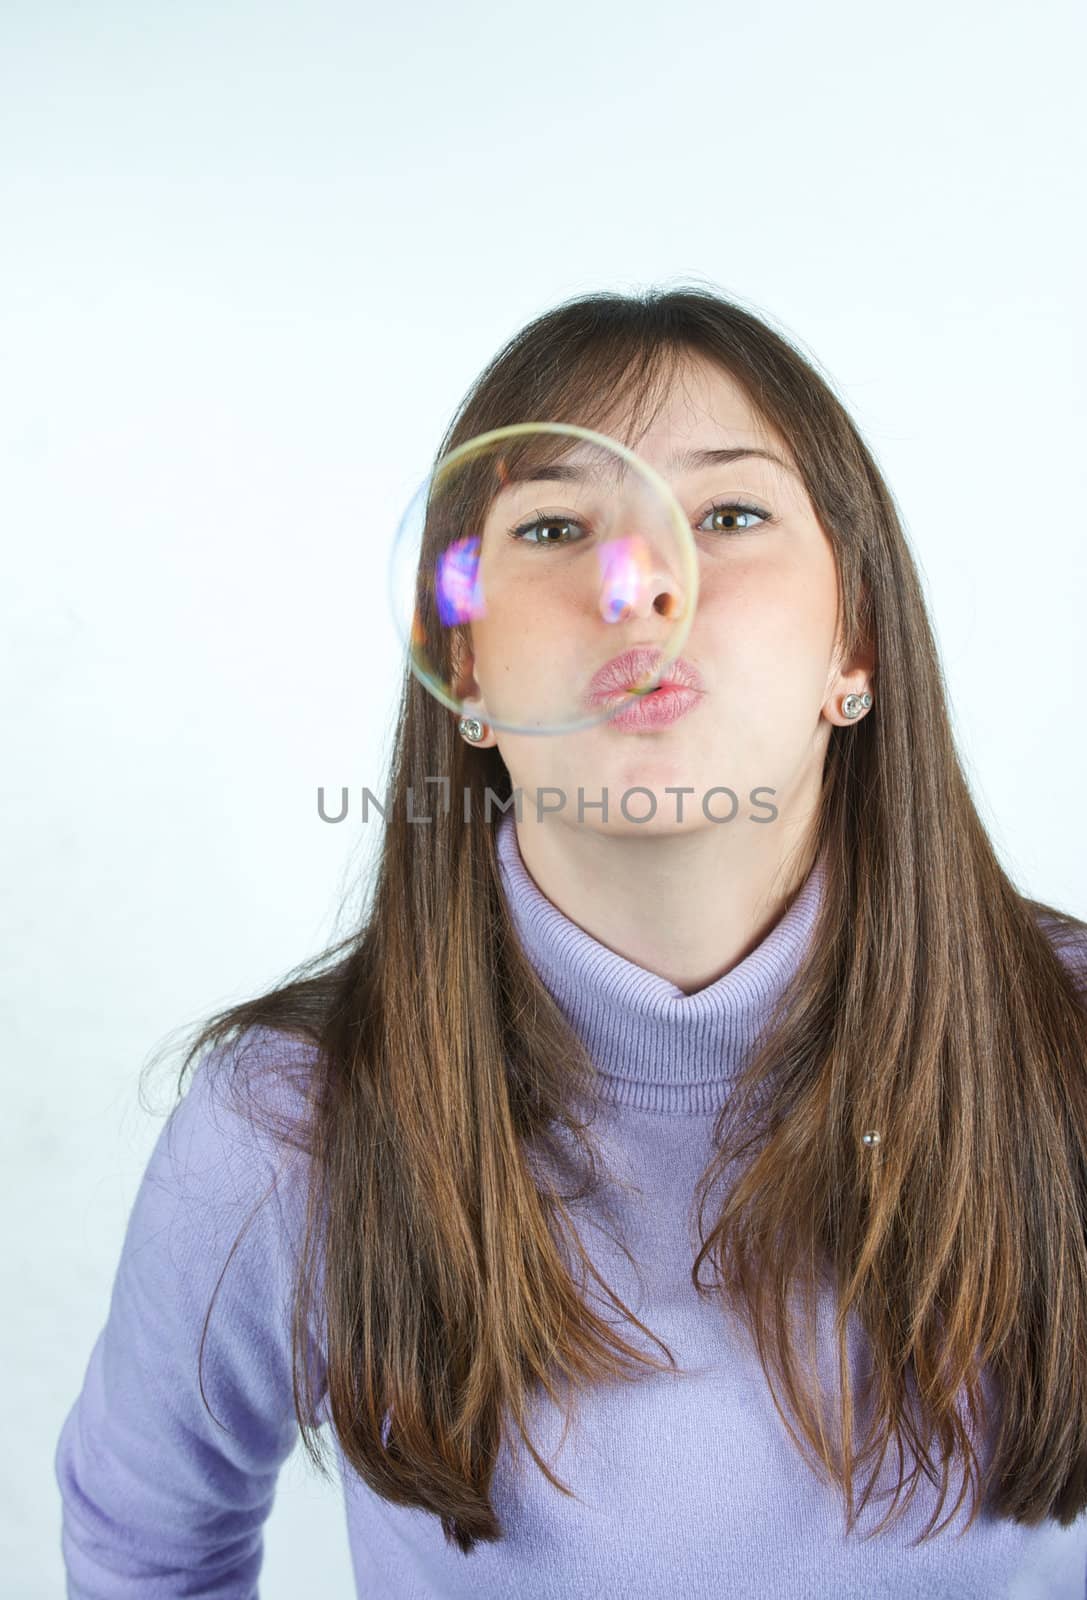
656,1047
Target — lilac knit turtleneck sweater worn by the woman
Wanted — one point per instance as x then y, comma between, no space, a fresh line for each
686,1486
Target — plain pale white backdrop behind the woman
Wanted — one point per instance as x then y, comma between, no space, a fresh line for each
254,255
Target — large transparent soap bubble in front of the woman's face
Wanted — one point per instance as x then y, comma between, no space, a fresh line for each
527,562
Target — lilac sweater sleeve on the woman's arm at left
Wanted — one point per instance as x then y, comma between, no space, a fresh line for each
164,1495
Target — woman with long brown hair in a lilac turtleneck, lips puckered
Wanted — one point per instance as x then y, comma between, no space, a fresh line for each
737,1172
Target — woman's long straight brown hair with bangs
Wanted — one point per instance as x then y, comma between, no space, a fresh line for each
937,1004
